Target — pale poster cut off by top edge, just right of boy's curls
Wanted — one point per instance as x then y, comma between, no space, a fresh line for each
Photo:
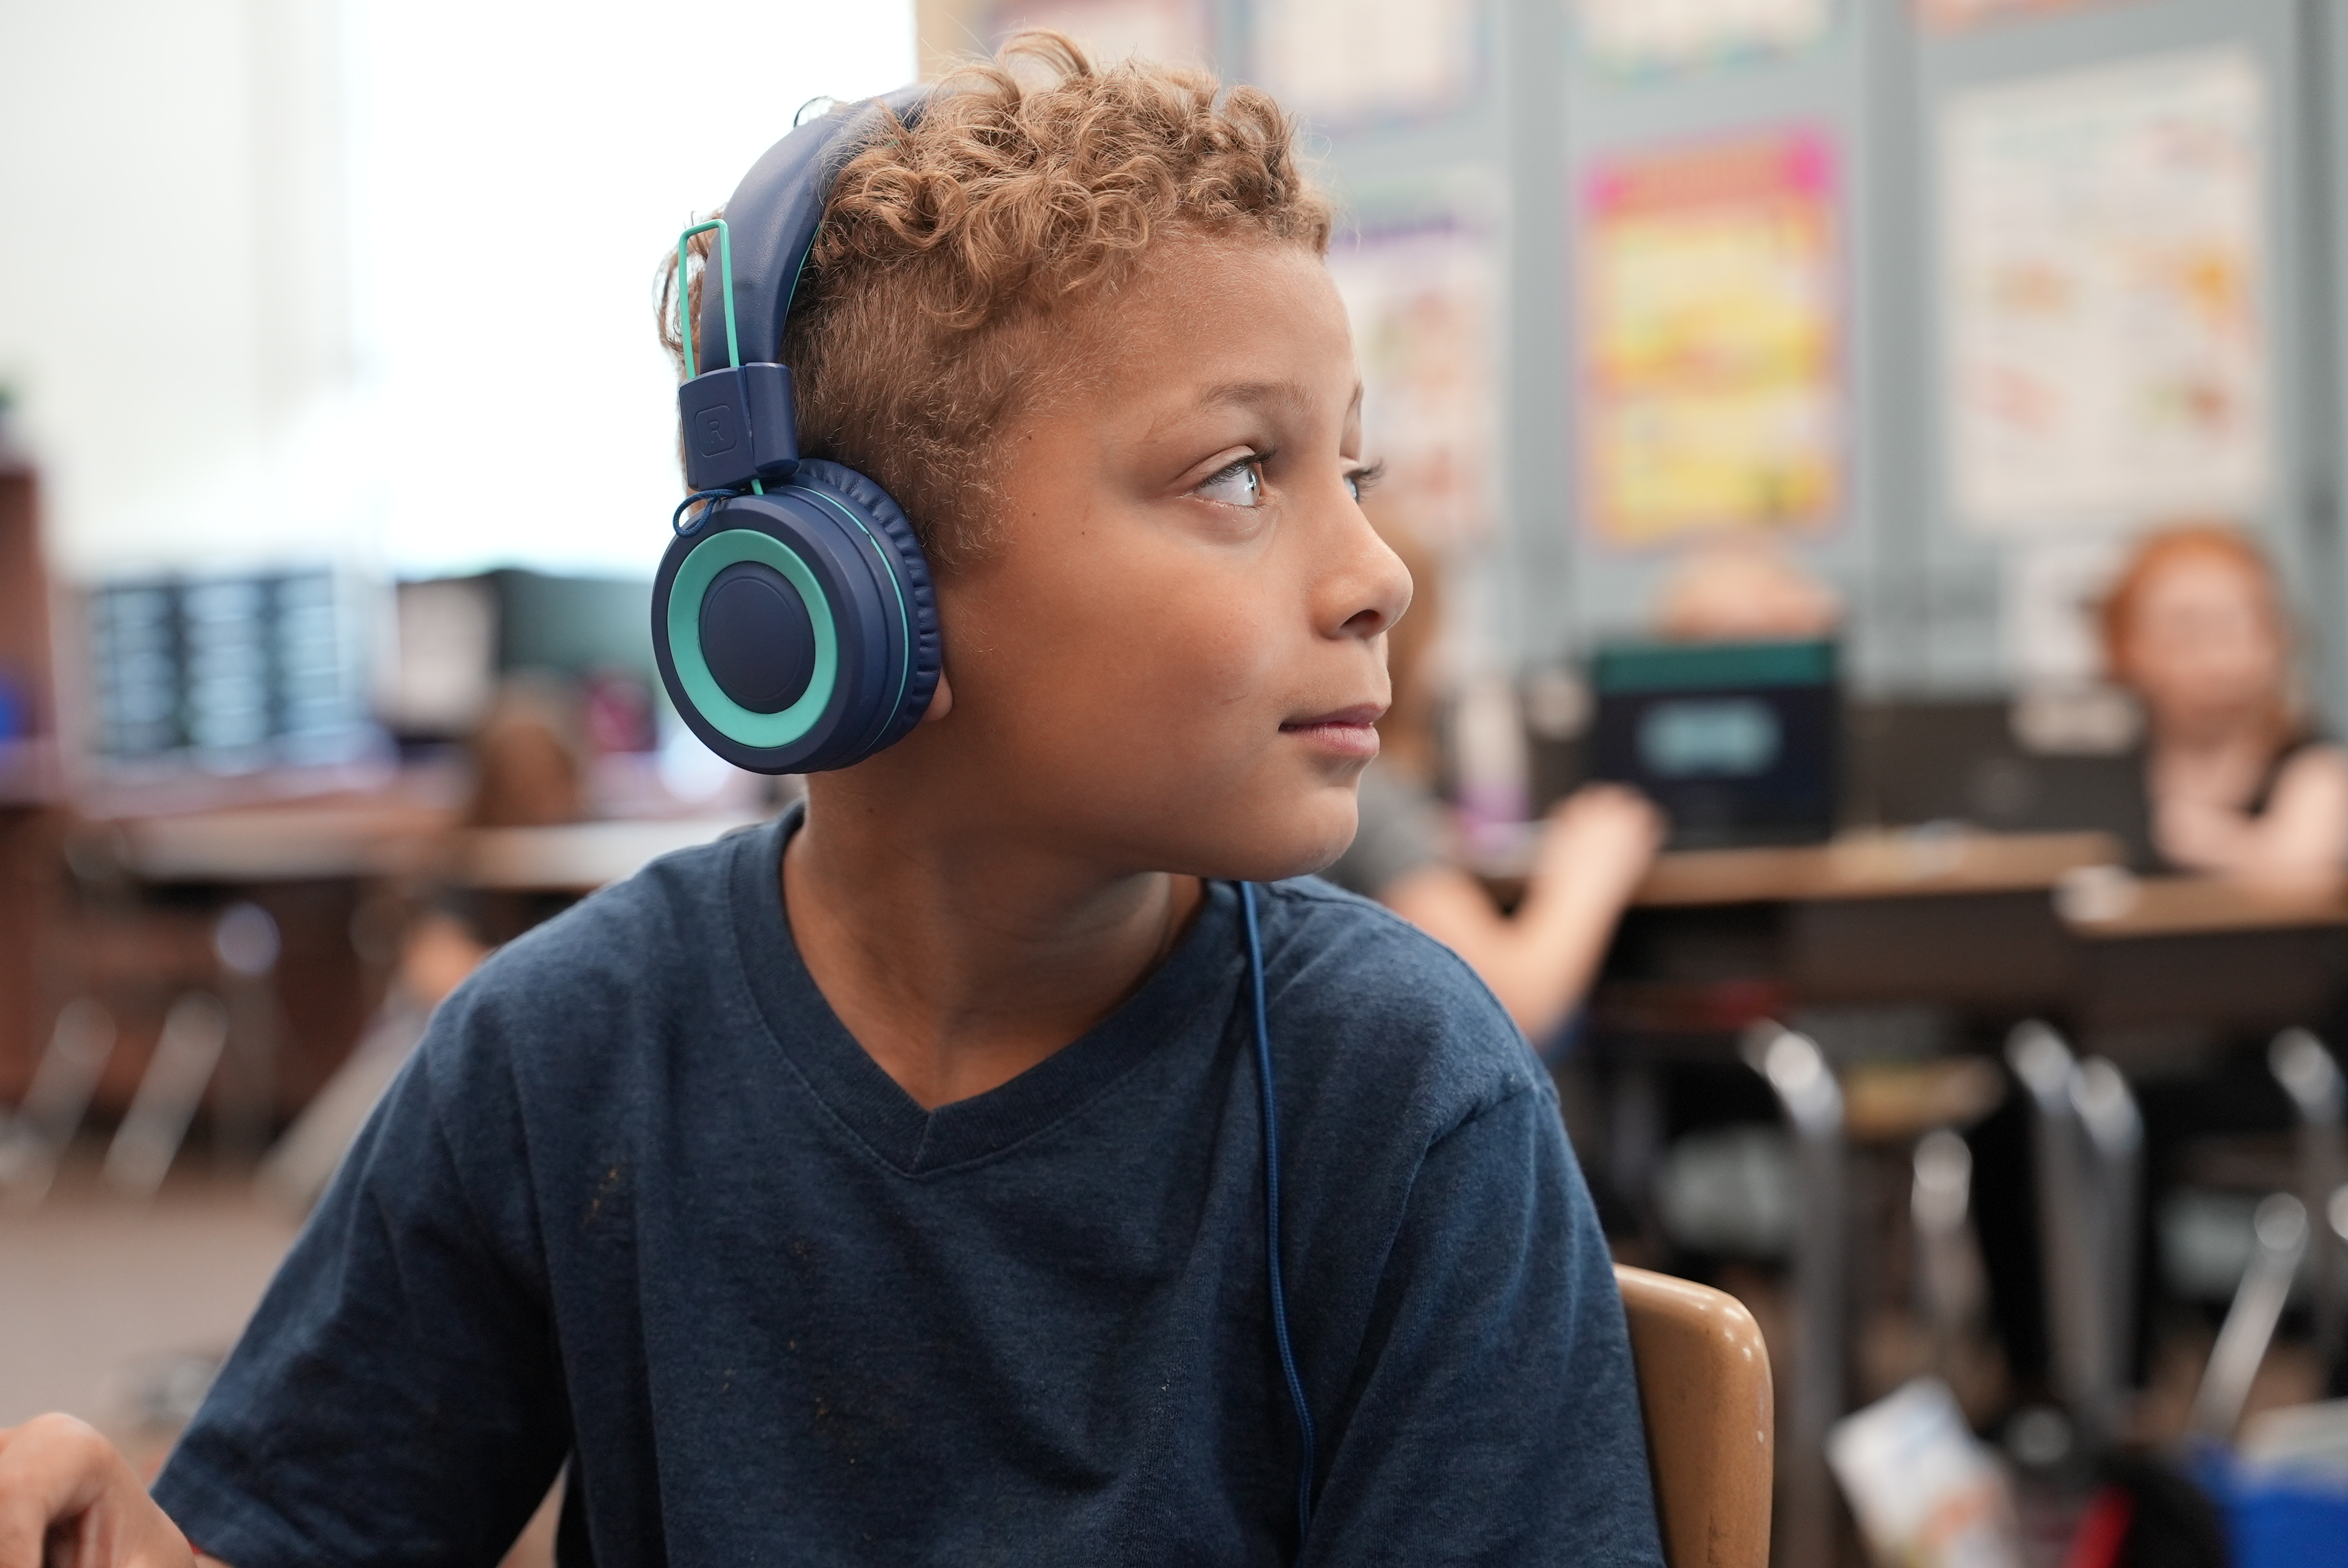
1354,62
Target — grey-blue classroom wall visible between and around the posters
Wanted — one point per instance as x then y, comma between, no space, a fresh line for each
1931,602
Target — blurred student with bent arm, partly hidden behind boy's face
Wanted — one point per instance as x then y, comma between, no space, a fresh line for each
1591,858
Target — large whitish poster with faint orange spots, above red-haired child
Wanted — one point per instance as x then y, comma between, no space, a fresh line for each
2103,273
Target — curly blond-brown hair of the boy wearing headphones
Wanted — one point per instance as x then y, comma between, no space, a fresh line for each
957,255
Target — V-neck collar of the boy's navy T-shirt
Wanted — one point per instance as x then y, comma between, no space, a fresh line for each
868,1100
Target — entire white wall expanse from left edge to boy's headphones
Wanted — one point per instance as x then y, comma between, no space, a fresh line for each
370,281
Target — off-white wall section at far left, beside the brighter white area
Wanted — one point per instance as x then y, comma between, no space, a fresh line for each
173,273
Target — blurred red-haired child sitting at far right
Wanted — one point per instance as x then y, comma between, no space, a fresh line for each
2234,776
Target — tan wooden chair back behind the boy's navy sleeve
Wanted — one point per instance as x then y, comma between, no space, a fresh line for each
1711,1419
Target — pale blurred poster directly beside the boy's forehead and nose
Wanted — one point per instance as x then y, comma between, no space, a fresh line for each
1424,288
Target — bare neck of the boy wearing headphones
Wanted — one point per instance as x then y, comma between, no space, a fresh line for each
954,954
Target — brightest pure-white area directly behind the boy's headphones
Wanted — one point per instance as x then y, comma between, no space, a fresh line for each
518,187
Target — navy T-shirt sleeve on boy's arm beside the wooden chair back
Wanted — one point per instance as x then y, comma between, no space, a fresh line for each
1495,1417
